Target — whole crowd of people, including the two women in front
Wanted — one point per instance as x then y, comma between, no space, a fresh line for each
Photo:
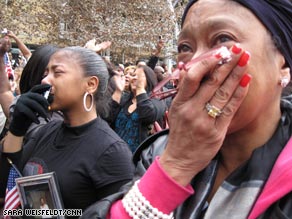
228,149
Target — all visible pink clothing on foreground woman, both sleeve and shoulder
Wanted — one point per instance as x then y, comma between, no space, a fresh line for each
166,195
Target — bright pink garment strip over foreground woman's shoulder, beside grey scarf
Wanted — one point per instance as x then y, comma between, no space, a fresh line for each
278,184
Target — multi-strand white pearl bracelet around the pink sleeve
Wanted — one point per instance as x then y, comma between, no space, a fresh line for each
138,207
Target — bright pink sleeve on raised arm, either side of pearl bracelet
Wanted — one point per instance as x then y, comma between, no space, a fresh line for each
163,193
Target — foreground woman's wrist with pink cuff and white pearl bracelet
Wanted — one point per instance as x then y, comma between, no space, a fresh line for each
148,194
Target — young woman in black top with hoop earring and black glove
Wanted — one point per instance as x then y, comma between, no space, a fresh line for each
90,160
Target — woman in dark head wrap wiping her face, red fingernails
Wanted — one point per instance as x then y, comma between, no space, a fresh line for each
228,153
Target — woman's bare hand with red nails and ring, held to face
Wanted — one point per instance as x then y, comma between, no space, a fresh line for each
195,137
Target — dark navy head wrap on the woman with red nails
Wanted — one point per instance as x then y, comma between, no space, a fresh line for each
276,15
